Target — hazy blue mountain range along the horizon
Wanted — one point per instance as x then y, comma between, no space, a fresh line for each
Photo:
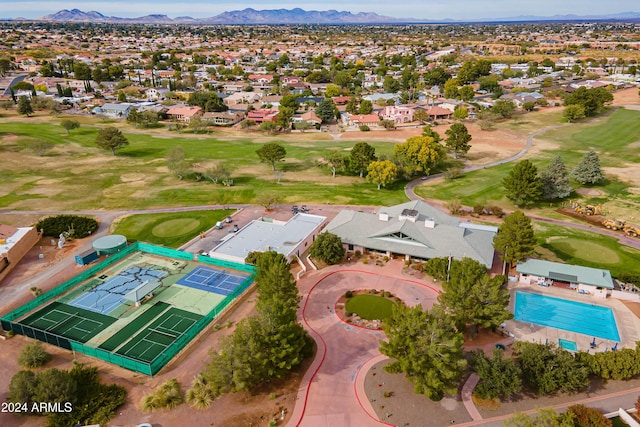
300,16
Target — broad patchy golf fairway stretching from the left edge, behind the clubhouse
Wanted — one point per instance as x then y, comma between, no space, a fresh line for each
75,174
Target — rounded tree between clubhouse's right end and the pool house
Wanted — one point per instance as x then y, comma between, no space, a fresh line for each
515,239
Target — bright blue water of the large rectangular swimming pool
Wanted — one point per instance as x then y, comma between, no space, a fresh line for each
587,319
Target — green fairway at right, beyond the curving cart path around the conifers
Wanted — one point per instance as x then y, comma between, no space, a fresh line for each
615,138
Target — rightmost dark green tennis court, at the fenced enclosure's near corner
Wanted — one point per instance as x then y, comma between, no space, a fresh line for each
159,335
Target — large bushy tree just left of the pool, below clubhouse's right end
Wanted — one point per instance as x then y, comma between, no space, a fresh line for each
473,299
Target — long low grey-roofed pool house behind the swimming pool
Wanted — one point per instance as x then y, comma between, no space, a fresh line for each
584,280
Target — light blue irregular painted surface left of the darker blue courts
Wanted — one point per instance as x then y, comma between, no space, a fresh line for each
109,295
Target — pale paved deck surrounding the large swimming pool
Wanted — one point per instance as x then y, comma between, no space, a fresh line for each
628,324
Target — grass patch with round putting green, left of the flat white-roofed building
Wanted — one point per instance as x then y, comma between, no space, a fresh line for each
168,229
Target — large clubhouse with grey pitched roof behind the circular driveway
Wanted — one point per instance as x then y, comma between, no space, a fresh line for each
414,230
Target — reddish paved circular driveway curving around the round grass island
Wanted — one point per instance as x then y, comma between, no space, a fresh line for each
332,394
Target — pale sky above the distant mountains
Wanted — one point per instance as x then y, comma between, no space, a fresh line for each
423,9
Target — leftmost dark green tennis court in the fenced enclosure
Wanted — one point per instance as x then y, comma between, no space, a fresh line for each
70,322
